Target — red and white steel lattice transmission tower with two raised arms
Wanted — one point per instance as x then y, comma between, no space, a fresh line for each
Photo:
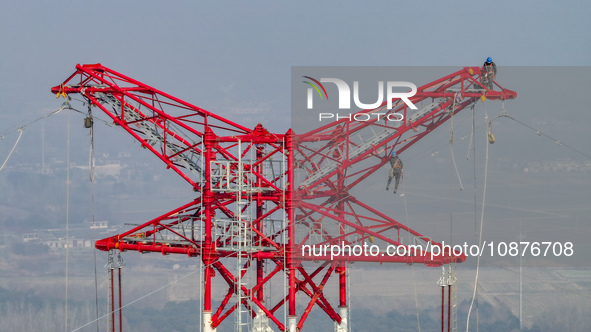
261,196
